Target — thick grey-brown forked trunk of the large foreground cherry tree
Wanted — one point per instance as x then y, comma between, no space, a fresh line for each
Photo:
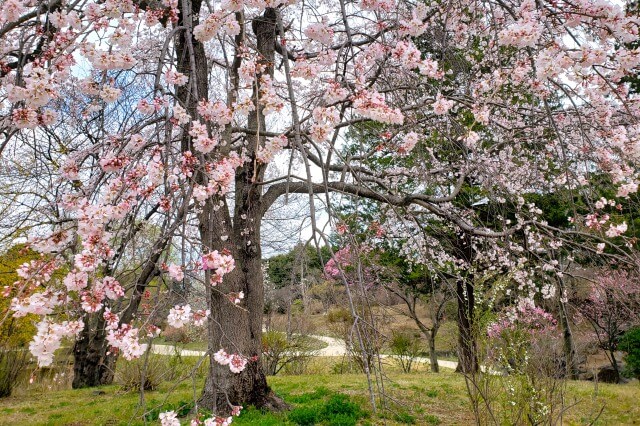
237,329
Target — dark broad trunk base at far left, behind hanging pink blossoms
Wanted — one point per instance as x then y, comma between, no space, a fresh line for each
91,364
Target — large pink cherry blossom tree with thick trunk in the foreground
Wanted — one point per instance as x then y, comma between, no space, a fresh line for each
194,101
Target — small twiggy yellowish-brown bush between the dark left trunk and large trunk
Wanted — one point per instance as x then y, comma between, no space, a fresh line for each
154,368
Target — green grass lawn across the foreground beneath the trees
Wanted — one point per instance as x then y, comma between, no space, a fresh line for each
321,399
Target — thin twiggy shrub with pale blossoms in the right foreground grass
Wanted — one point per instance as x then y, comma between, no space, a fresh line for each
521,378
